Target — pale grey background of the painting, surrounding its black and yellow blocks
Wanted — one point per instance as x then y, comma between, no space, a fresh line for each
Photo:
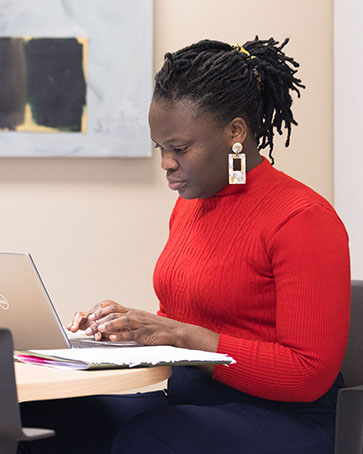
119,74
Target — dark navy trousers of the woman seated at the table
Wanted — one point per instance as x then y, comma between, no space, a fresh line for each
195,415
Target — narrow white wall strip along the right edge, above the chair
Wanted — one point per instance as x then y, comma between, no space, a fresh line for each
348,124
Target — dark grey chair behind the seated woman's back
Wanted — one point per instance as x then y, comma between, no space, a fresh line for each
349,419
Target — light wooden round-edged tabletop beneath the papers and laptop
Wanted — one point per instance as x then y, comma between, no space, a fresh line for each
41,383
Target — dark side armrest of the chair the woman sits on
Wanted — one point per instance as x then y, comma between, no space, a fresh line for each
349,421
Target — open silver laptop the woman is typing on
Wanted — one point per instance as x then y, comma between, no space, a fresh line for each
26,308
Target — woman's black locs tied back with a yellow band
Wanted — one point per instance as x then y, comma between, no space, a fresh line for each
254,81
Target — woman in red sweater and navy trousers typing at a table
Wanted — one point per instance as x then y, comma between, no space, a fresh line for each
258,270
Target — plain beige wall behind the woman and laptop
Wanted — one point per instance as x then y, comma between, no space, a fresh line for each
96,227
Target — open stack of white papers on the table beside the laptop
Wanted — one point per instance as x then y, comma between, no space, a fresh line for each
114,358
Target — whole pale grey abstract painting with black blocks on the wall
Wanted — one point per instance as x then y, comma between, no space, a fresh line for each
75,78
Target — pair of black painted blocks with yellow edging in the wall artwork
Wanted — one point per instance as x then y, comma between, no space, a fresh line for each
47,74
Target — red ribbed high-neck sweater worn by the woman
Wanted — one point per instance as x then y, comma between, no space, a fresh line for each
265,265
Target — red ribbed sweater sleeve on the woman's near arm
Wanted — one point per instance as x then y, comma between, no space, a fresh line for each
310,261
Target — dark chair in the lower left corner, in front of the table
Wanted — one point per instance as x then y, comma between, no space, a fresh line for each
11,430
